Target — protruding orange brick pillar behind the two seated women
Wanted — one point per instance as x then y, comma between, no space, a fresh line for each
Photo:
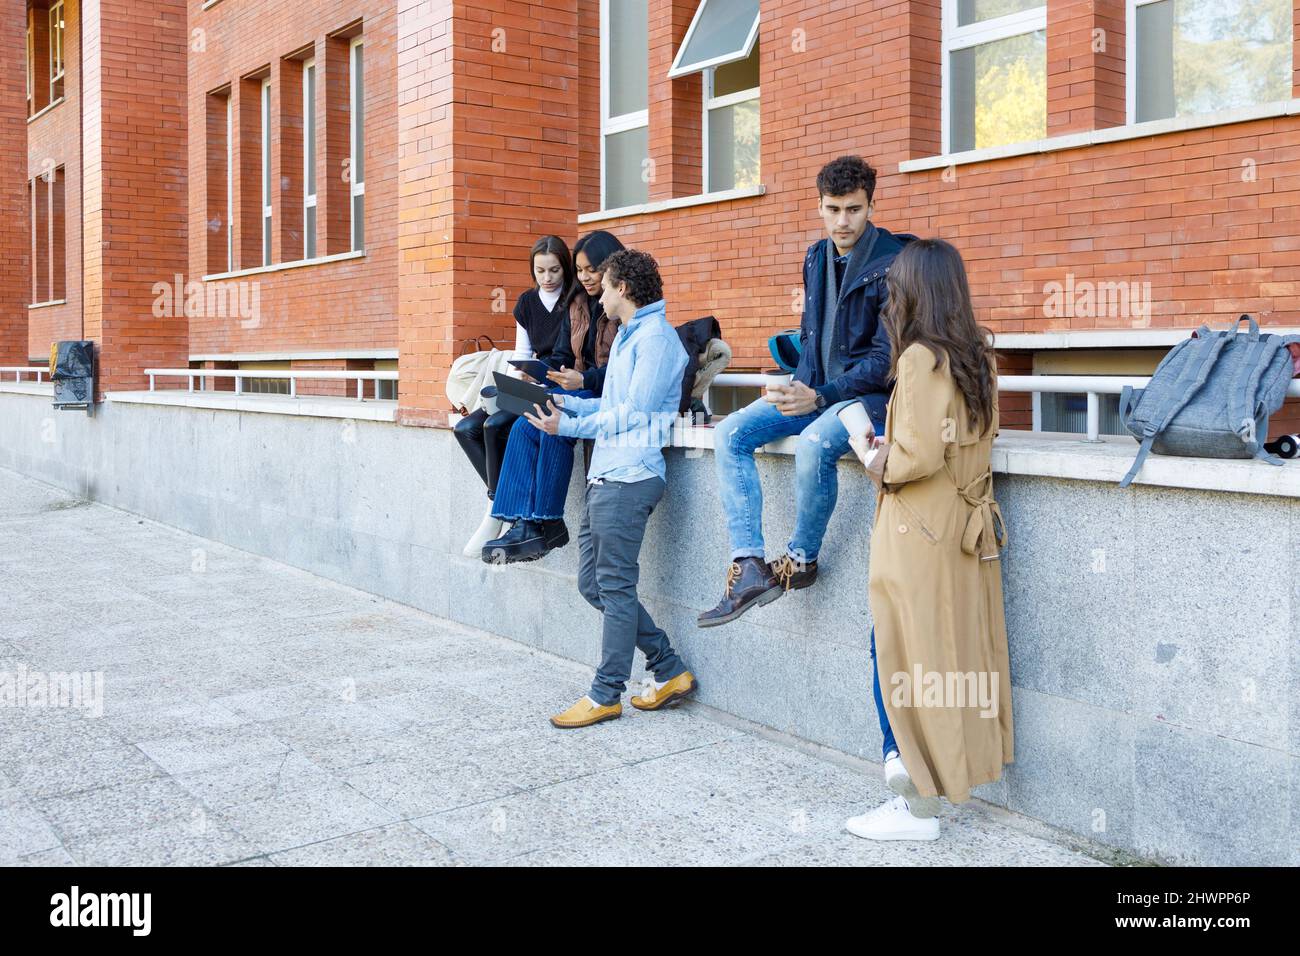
489,126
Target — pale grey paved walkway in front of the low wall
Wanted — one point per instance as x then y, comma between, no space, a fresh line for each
257,715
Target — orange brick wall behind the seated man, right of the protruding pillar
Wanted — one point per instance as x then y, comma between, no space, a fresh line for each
1211,218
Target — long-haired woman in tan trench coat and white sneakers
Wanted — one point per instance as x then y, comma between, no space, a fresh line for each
935,582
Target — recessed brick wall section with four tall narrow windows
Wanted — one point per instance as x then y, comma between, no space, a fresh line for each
344,305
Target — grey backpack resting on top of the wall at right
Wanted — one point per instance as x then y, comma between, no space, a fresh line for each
1211,397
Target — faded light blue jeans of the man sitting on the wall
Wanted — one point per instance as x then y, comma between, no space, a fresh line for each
822,443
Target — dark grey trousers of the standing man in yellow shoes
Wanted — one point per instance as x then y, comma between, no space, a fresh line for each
614,525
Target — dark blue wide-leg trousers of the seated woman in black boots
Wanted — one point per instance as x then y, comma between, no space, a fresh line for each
535,474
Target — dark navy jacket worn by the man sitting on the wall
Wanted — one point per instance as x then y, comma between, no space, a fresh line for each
864,343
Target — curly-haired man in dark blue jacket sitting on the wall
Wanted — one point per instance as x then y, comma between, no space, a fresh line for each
846,358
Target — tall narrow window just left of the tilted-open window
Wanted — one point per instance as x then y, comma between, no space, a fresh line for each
625,98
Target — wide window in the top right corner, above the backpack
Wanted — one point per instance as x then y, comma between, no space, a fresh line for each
1201,57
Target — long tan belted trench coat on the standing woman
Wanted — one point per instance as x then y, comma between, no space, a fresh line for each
937,587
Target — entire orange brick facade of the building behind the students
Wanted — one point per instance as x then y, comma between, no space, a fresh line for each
483,133
